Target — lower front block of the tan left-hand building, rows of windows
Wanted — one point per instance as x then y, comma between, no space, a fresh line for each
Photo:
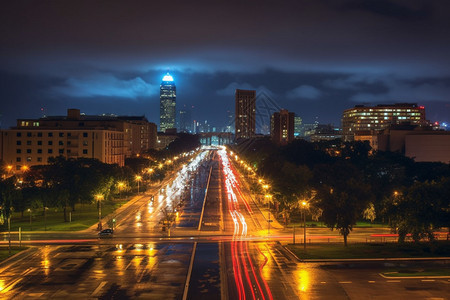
25,147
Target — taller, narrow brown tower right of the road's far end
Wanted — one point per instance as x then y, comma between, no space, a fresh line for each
245,113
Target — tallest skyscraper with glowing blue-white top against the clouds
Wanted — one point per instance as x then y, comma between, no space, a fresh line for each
167,98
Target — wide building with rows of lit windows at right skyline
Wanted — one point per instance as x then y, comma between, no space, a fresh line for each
363,119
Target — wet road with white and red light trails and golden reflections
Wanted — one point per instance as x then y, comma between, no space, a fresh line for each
223,253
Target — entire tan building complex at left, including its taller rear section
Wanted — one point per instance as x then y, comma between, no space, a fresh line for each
107,138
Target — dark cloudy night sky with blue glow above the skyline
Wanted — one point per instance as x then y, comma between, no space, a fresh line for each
315,58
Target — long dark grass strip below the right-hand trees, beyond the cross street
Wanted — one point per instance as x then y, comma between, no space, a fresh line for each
371,250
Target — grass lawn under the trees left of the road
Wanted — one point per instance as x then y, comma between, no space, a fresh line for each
83,217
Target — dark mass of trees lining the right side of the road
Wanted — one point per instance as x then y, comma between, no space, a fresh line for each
344,182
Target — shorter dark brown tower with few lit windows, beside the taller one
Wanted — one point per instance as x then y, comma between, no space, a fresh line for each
282,127
